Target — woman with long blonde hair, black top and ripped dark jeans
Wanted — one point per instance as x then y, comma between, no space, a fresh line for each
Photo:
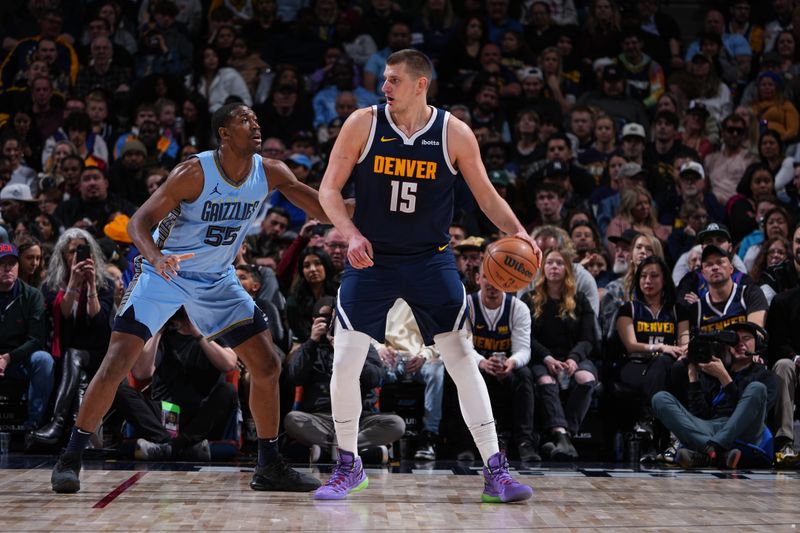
564,339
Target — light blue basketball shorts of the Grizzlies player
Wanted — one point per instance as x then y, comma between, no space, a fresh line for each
215,302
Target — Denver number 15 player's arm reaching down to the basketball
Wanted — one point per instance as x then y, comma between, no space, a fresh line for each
463,148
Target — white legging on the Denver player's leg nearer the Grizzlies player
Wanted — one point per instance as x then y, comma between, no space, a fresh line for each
349,354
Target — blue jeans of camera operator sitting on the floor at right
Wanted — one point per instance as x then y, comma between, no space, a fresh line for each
746,423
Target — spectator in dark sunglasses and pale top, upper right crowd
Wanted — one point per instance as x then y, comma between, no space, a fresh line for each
725,166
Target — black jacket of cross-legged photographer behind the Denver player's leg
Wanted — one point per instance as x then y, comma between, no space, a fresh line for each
311,367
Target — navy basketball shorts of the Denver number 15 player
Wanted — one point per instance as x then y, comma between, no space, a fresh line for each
429,283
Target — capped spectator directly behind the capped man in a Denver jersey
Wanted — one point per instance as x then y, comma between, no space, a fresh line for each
691,284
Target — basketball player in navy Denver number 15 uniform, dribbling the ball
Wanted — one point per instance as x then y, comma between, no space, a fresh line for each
404,156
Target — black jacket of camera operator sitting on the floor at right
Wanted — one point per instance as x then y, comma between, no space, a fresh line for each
703,391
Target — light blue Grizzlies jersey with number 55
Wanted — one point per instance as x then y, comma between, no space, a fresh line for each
215,224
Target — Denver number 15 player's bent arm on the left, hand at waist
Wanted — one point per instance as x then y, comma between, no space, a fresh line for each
344,156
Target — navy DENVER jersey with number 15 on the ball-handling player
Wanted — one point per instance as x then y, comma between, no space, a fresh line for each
404,186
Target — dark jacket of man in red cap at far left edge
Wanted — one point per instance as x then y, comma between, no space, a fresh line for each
22,321
